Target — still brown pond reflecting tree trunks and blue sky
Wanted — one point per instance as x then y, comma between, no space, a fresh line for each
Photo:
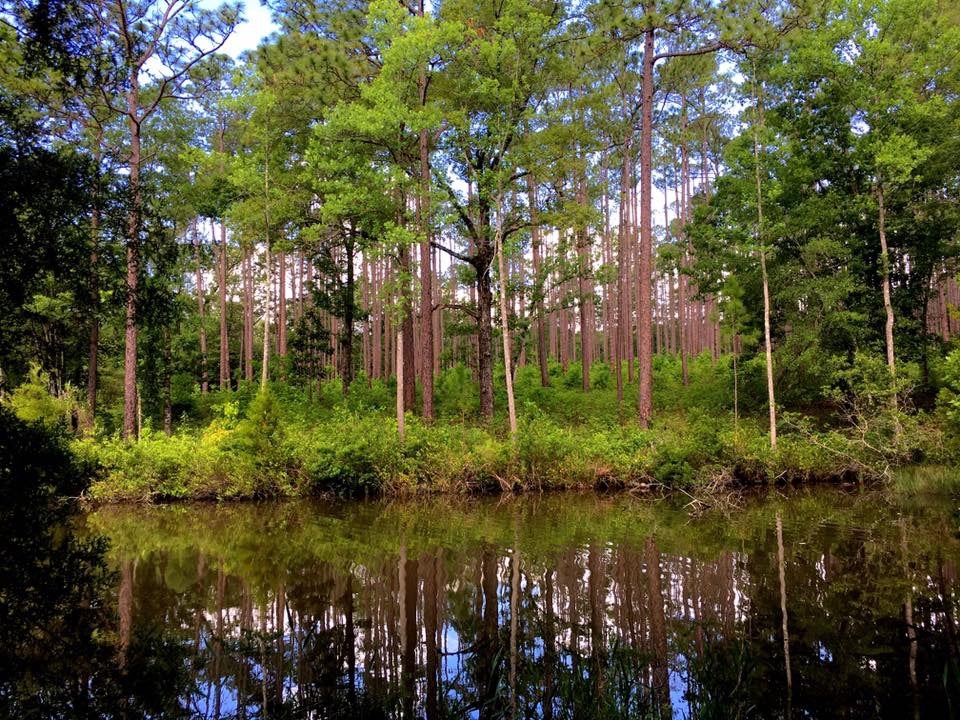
806,604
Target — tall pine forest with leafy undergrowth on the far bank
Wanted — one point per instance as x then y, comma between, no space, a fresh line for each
482,245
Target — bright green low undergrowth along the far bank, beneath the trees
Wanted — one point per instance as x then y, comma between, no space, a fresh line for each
287,442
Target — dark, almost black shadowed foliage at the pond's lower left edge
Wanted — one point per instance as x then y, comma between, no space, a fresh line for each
64,653
